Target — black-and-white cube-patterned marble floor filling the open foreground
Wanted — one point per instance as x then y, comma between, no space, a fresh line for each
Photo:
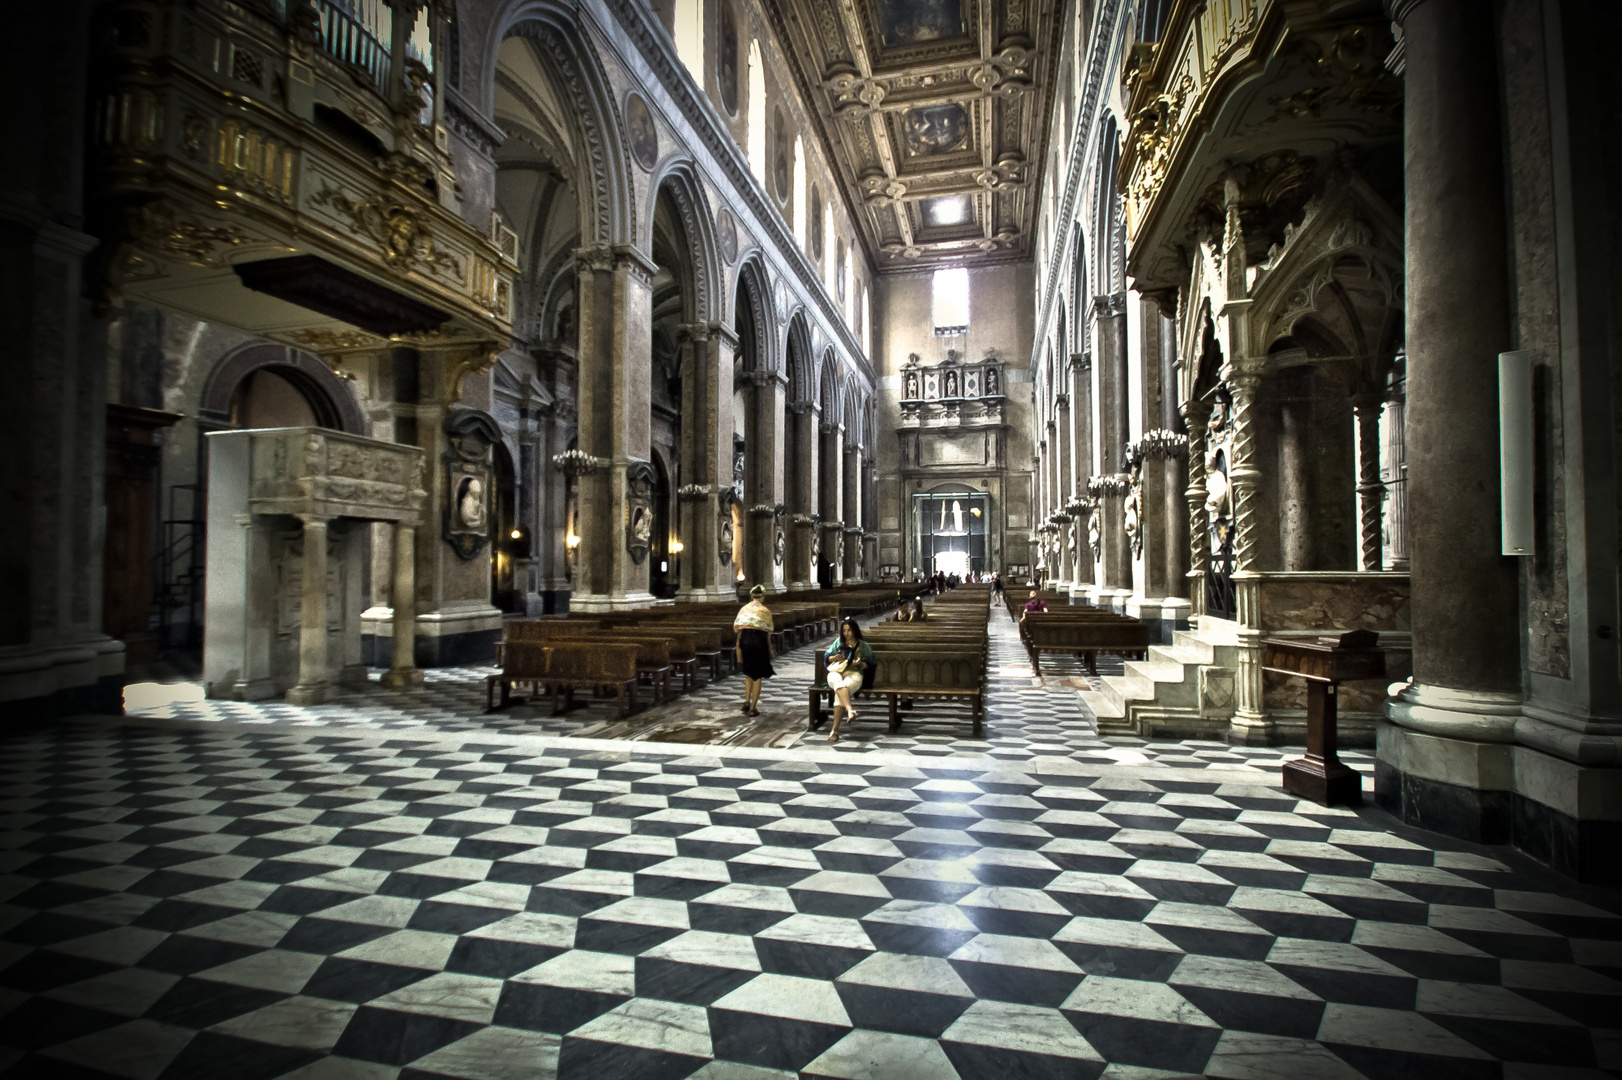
260,901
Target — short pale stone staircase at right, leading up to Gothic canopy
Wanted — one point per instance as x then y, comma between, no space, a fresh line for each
1185,690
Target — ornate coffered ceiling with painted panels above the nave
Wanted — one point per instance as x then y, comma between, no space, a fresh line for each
937,116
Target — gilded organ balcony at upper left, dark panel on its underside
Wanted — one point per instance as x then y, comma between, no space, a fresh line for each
283,168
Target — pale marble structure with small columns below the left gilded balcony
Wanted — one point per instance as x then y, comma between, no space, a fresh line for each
286,546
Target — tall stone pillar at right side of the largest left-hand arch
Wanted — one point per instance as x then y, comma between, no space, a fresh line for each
616,333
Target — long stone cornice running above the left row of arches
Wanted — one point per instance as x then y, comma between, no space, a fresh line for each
659,53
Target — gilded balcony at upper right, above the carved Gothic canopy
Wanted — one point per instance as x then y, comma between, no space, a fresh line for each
1264,93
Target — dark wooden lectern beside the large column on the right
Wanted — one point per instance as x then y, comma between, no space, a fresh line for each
1324,664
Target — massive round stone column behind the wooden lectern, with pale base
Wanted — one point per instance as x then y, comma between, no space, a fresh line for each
1444,761
